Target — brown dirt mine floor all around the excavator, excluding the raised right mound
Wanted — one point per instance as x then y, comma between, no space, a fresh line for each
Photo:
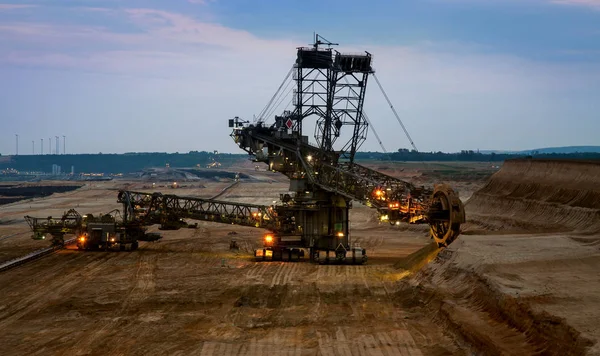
493,292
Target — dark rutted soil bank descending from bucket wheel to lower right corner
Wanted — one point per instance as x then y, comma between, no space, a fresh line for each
489,321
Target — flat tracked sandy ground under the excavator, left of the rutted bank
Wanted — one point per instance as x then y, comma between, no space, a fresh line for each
188,294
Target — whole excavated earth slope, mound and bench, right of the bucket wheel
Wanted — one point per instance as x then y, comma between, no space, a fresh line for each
522,279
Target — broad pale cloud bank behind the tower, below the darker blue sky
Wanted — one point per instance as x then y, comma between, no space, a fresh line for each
158,64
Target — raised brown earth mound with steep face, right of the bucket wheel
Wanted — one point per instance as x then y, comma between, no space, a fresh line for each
538,195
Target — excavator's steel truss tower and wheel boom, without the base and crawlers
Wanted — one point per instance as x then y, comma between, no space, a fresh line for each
332,86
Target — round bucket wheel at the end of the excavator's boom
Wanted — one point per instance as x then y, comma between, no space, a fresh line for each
445,215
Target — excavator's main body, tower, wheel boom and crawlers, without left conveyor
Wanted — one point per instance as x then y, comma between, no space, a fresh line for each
330,90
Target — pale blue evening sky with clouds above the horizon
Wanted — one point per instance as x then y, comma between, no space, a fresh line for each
147,75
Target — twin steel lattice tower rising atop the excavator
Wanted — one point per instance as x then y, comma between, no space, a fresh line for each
331,86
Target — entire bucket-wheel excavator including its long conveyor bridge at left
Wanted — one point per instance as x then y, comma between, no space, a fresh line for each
329,93
